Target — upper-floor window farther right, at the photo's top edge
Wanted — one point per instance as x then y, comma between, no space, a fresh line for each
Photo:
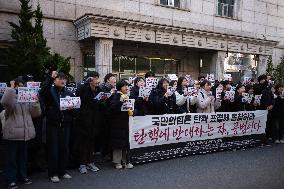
225,8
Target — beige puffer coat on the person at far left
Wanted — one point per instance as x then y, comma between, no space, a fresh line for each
18,117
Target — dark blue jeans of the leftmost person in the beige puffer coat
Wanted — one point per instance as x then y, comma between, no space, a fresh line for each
16,160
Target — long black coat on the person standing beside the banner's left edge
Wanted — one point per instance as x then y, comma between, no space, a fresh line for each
119,131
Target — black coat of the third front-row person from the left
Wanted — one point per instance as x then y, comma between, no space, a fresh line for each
89,119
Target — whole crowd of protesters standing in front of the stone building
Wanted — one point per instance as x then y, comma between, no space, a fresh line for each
99,126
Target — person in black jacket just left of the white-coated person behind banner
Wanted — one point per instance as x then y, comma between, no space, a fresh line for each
162,100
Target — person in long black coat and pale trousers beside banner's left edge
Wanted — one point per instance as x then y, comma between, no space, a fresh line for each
119,131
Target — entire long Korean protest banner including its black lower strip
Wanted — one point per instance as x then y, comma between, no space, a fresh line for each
158,137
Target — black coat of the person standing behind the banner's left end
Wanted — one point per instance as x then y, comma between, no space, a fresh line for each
141,107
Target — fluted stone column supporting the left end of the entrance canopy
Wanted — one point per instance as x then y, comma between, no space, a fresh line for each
103,56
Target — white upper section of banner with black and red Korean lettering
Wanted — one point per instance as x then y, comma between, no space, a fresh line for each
152,130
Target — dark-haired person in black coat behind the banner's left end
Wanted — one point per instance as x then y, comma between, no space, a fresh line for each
142,106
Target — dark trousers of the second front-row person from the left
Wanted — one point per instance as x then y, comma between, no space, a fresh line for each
58,150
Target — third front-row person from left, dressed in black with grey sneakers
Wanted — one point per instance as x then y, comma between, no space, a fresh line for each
89,122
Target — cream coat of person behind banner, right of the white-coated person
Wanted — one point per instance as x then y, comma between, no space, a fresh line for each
205,104
